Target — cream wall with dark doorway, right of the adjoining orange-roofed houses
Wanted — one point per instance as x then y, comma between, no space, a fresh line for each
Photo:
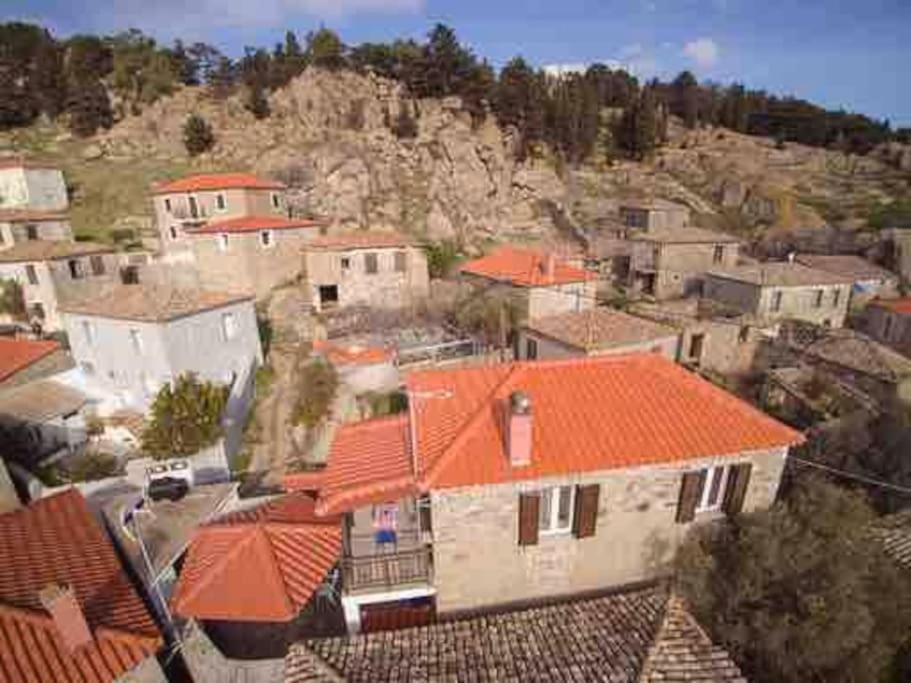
387,288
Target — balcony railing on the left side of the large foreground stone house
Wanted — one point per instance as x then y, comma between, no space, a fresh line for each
387,571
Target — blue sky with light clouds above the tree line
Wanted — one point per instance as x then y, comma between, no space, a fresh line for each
841,53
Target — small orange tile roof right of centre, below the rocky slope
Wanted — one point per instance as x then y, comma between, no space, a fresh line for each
524,268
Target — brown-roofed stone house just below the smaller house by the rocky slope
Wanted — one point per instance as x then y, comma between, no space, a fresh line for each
669,264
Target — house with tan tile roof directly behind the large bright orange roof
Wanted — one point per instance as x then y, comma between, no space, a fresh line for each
595,332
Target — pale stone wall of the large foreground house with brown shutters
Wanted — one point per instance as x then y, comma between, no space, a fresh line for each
478,562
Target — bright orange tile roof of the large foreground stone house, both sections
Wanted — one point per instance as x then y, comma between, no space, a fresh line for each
590,414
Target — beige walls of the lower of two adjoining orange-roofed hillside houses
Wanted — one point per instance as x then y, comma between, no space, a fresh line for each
247,266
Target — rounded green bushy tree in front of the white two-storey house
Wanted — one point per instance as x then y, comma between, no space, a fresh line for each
185,418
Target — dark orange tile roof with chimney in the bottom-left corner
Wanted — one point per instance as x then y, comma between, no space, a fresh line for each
57,540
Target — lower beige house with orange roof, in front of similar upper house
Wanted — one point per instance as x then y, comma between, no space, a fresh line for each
250,254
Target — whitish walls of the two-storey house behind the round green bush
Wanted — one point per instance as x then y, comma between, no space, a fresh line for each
189,344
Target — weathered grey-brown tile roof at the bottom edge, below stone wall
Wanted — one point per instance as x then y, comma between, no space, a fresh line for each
637,635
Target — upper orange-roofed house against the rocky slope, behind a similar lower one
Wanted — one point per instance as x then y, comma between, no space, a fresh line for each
194,201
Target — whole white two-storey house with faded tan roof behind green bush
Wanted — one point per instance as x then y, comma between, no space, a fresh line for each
131,339
